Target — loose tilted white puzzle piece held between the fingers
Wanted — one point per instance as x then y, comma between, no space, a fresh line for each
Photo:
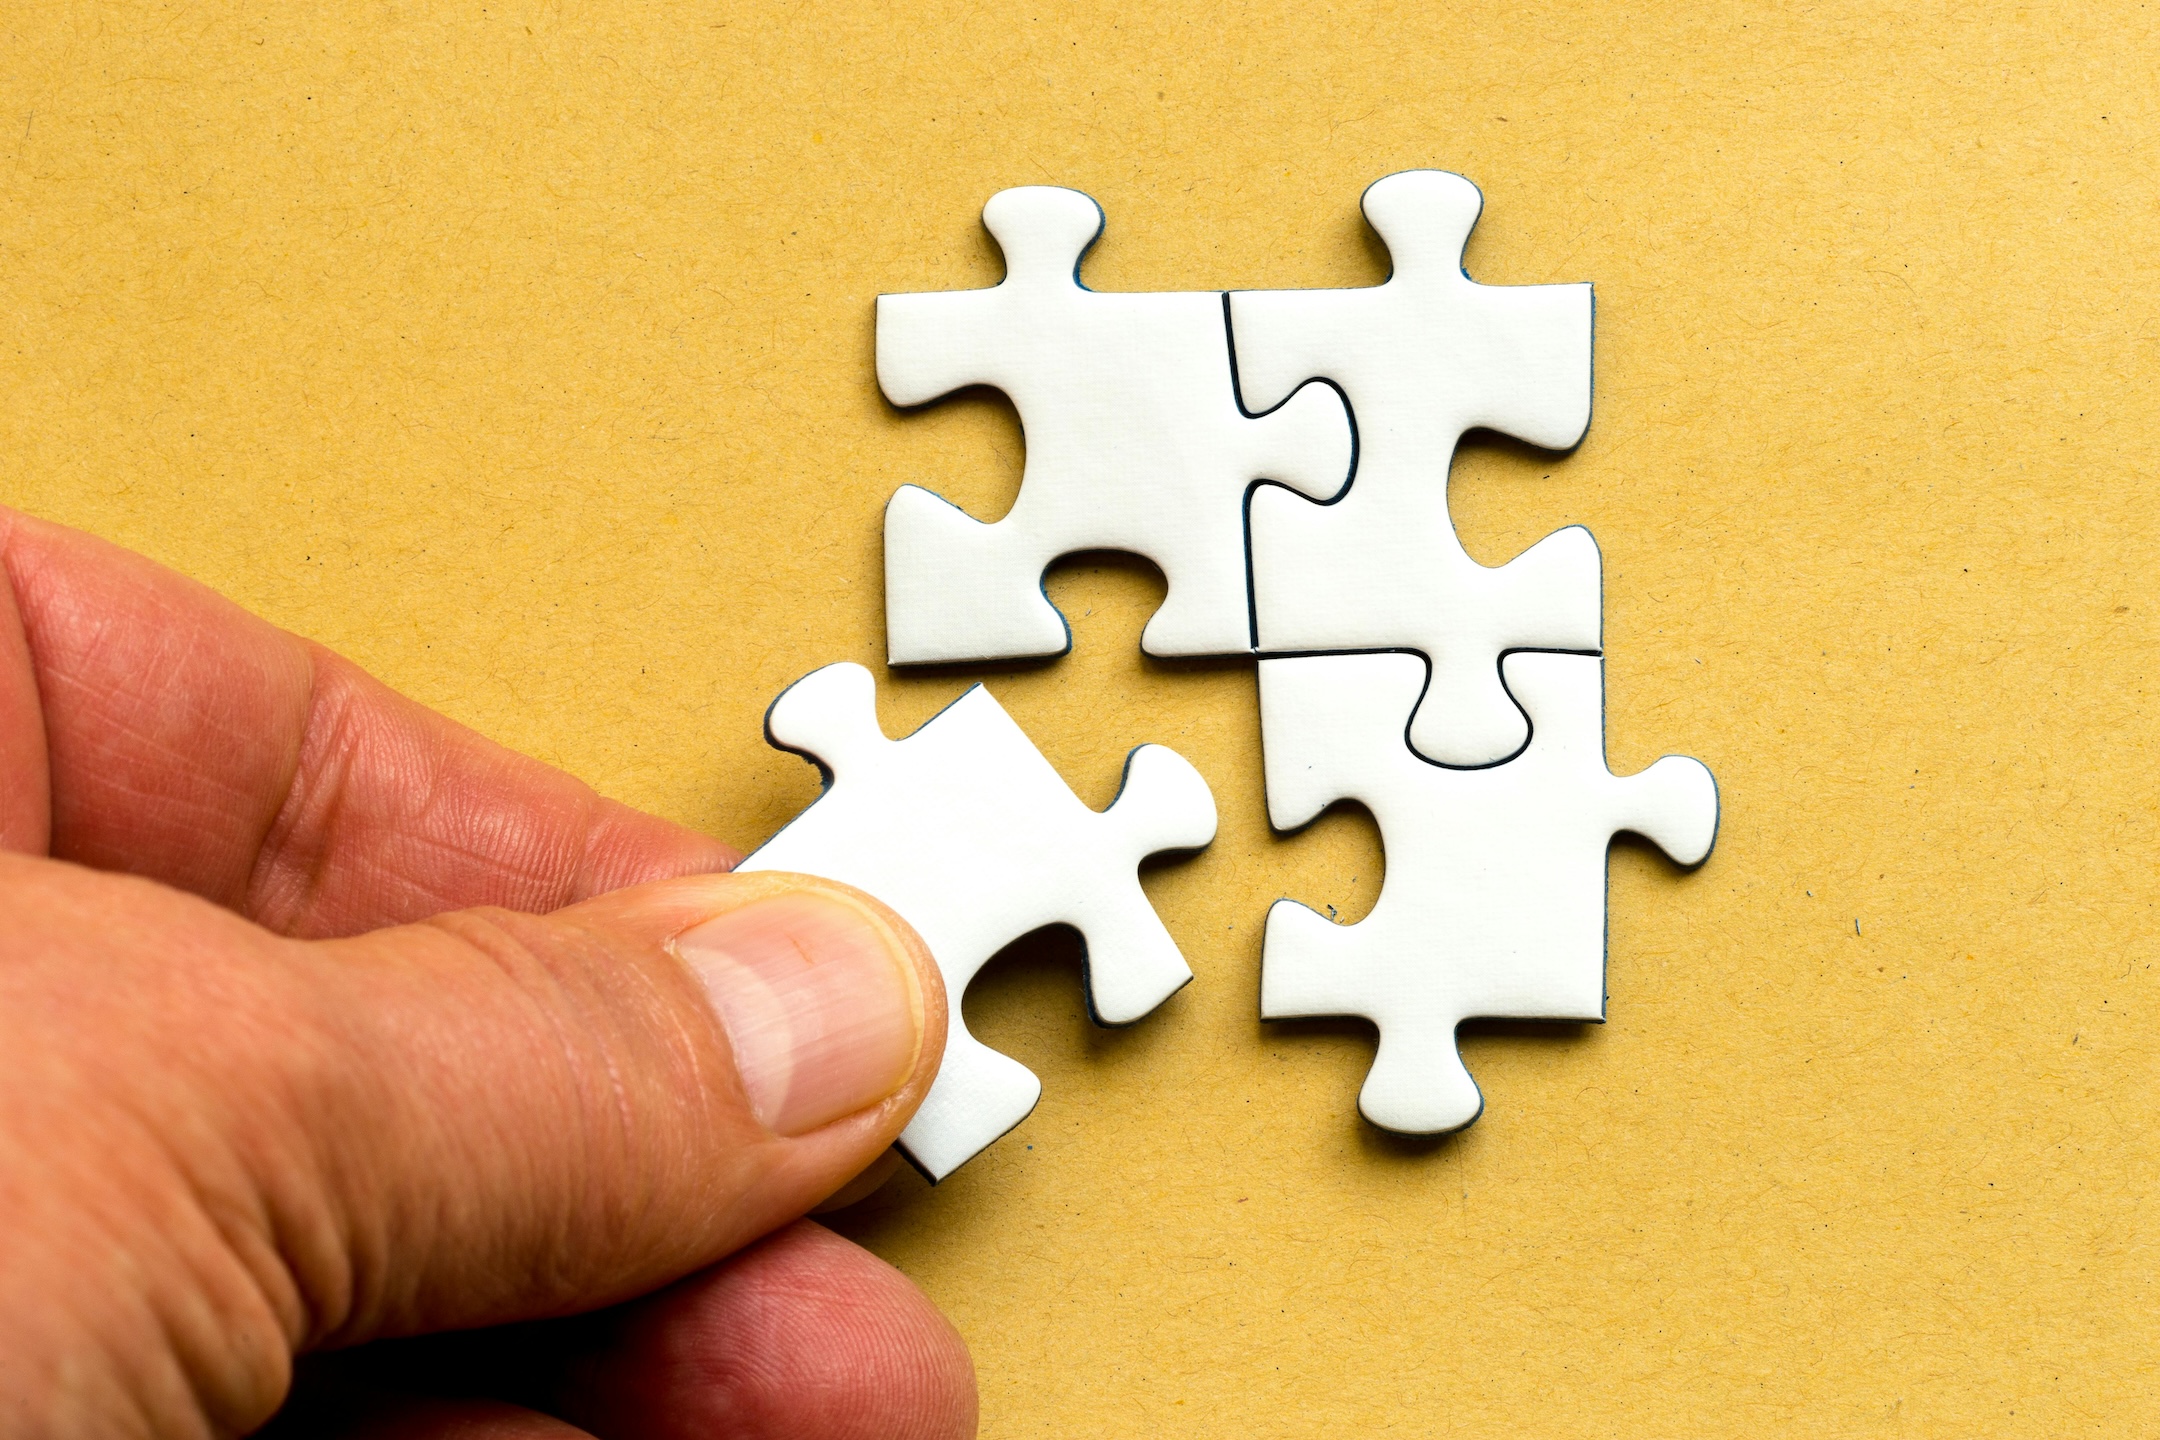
971,837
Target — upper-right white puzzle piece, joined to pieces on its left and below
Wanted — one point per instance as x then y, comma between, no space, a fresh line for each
1422,357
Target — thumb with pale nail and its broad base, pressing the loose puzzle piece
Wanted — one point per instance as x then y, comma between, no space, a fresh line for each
224,1145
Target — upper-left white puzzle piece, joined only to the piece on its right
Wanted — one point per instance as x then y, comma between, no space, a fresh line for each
1135,441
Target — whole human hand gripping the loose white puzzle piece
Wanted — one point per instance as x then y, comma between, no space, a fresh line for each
325,1022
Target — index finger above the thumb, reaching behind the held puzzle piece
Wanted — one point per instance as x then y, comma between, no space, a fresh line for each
157,729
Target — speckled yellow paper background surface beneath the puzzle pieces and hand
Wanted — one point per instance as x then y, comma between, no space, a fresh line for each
524,355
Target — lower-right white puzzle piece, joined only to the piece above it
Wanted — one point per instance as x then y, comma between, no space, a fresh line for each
1494,904
